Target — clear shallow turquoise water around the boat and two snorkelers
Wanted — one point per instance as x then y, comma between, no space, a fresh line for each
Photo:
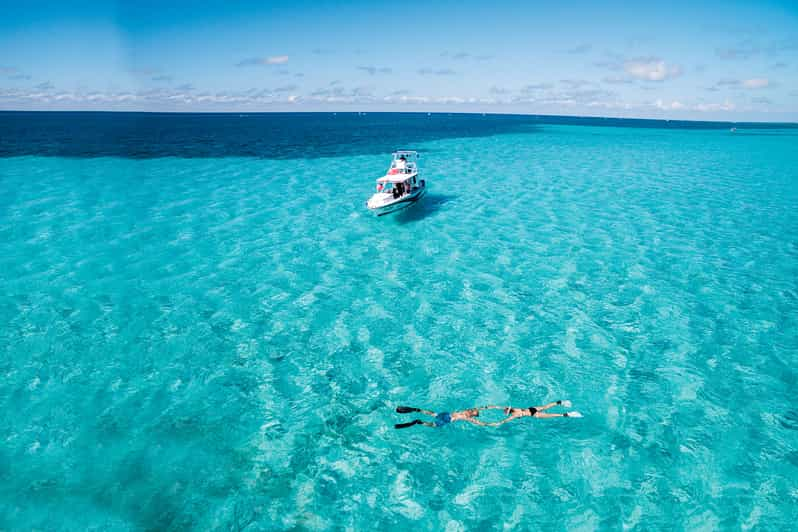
220,343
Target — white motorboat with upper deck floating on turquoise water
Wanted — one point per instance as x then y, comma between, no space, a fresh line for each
400,187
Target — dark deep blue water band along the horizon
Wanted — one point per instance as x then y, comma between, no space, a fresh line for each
280,135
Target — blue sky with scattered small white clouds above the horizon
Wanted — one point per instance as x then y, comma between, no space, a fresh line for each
695,60
